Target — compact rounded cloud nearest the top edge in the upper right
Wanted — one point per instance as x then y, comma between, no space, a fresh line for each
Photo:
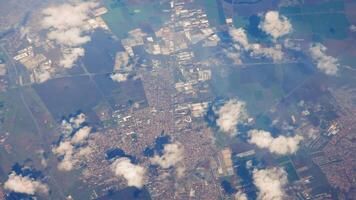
275,24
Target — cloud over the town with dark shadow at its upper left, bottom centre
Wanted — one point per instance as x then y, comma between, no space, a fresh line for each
172,155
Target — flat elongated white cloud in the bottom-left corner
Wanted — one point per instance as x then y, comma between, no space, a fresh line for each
25,185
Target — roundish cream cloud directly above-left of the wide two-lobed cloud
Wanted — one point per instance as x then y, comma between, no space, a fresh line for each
230,115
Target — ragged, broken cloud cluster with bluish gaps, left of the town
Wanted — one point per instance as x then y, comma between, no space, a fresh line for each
75,133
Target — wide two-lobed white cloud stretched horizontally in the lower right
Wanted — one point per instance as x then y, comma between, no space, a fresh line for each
280,145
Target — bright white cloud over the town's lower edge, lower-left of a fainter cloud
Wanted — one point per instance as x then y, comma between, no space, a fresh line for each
134,174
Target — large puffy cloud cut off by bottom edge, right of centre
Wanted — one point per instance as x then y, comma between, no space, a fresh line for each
270,183
